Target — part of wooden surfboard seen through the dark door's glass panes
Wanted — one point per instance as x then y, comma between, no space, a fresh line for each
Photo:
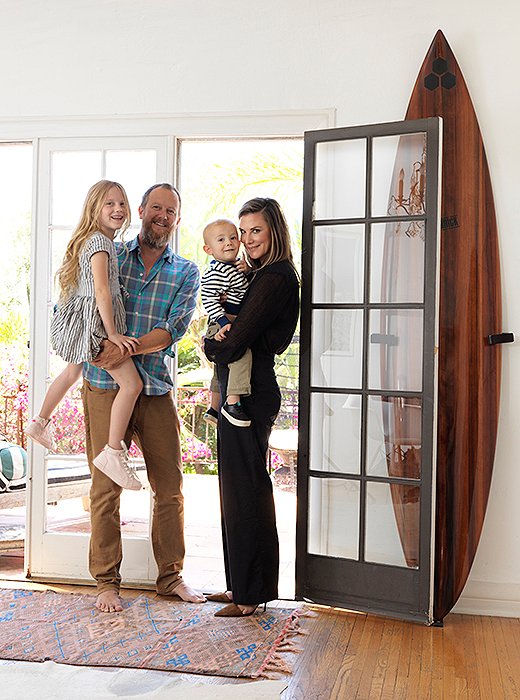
402,280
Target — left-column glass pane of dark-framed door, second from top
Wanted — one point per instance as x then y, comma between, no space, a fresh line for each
338,264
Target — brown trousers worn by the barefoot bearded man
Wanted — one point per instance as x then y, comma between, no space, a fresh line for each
155,427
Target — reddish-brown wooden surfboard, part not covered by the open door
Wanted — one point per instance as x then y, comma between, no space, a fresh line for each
470,310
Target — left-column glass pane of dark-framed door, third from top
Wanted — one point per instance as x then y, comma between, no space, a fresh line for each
337,348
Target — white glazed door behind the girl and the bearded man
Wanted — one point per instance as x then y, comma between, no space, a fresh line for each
57,549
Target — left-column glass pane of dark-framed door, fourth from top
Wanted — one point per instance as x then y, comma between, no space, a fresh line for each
335,432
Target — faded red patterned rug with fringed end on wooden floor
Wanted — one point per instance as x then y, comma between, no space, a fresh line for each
150,633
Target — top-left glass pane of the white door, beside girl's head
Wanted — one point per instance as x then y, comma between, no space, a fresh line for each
73,173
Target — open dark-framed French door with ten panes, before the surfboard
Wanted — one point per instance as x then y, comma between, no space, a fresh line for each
366,455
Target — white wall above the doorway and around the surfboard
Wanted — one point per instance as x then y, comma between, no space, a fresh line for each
62,58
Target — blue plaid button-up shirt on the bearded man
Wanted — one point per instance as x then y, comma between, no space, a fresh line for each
165,299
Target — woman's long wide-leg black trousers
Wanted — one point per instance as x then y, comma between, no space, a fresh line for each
250,538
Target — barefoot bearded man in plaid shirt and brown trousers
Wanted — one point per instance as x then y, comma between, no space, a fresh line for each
161,295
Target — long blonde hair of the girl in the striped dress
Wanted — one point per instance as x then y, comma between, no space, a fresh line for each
68,273
